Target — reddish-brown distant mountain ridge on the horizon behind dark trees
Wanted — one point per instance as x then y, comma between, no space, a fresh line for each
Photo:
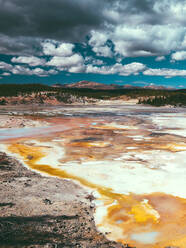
101,86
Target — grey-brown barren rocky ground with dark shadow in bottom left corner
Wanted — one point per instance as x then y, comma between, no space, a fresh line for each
37,211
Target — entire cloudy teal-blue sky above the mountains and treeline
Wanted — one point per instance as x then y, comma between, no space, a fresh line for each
138,42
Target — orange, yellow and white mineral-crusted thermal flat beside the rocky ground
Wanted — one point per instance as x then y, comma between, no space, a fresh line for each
135,167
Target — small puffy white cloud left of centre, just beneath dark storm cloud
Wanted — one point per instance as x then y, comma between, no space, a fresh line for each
54,48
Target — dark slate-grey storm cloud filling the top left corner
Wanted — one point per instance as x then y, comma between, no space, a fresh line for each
56,19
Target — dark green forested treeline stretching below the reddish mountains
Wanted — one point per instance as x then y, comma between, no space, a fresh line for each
146,96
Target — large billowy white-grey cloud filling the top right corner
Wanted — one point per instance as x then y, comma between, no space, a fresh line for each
148,28
